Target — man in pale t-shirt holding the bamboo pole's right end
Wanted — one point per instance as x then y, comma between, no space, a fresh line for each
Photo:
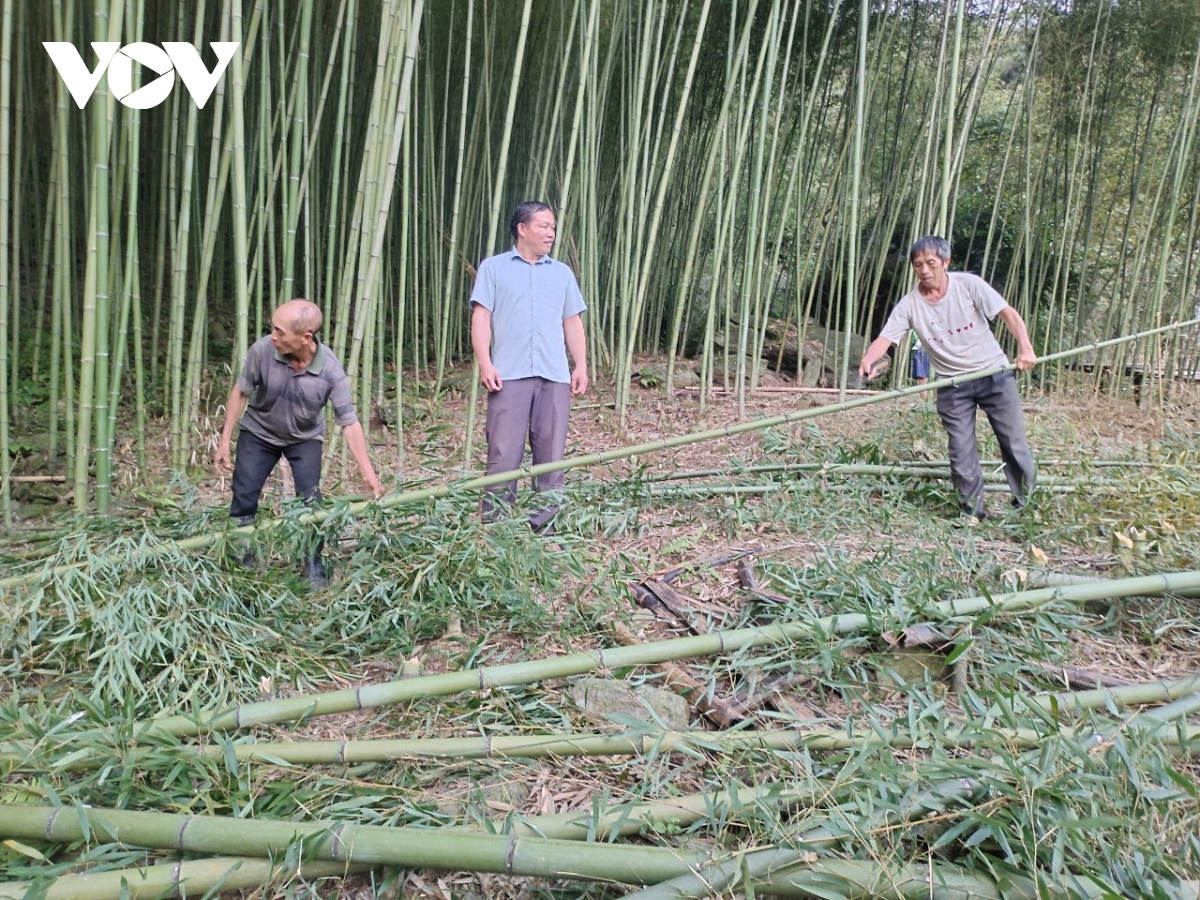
951,314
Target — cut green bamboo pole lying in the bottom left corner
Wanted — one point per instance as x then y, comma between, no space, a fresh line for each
199,878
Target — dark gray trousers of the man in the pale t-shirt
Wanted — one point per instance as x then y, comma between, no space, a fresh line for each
999,399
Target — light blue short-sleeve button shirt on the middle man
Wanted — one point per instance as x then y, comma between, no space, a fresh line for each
529,303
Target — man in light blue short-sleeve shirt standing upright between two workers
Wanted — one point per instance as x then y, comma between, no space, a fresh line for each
525,317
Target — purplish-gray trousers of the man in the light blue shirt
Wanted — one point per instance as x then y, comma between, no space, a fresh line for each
532,409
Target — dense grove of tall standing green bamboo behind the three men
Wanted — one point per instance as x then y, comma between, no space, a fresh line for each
716,165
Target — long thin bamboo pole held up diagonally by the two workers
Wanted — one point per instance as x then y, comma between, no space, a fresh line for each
473,484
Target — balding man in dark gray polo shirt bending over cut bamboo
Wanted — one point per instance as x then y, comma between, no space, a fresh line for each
285,385
